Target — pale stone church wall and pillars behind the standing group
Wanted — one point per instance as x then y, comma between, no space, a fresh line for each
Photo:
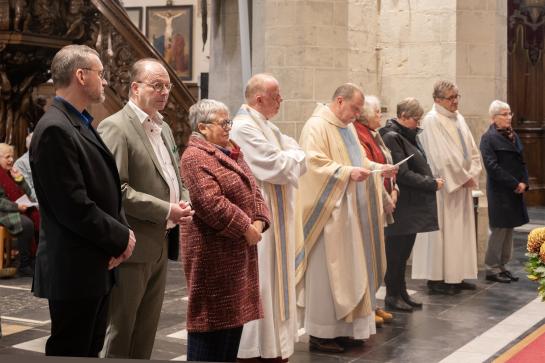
393,49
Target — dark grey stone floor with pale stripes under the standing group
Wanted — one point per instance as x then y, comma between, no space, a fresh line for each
473,326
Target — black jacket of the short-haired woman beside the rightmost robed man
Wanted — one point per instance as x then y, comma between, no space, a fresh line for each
416,209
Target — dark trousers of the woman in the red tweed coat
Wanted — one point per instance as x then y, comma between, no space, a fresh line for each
214,346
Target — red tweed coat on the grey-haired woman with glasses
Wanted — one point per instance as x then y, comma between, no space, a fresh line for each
220,267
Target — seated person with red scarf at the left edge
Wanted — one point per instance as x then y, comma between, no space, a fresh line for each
20,220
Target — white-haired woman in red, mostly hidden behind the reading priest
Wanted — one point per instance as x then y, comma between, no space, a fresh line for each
375,149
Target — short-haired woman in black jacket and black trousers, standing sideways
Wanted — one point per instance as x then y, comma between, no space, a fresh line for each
416,209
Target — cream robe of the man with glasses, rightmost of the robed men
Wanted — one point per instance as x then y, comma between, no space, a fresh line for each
449,254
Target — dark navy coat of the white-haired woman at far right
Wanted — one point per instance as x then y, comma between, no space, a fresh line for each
505,169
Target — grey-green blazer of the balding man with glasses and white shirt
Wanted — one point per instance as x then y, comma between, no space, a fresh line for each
145,190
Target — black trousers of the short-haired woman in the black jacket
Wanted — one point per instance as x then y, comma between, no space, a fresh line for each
398,250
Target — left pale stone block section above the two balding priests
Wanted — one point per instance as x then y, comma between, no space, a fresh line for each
311,47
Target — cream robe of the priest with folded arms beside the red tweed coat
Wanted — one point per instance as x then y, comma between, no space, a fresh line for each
277,162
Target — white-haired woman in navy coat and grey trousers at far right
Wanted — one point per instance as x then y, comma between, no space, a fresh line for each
507,180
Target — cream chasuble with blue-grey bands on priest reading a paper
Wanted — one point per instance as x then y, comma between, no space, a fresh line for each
338,229
